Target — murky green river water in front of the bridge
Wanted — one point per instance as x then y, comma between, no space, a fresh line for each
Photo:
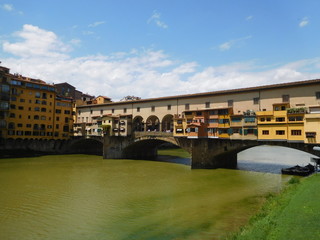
86,197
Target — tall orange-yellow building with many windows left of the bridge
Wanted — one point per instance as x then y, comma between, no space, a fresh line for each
36,112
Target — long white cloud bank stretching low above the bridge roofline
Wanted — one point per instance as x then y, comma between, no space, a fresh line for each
143,73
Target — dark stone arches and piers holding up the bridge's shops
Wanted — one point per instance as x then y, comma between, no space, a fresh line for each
205,152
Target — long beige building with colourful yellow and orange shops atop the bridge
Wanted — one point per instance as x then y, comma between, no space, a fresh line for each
279,112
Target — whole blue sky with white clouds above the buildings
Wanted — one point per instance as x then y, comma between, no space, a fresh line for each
157,48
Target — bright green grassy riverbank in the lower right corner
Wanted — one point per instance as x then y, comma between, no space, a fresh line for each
293,214
